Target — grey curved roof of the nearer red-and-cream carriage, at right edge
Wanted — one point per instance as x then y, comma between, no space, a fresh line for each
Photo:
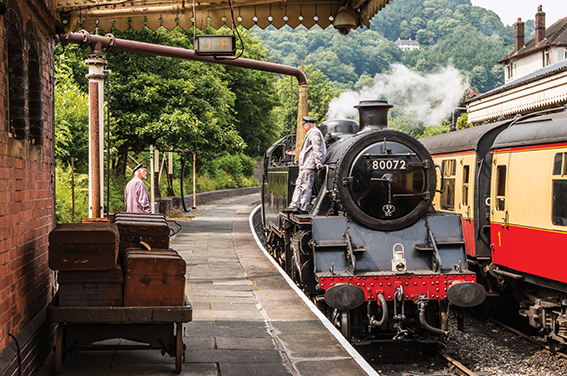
545,129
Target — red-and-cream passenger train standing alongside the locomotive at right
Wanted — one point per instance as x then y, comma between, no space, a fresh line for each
508,180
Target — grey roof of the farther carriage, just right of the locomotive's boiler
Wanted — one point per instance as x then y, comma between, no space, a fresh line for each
463,140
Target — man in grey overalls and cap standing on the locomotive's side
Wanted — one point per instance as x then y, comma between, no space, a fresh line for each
311,158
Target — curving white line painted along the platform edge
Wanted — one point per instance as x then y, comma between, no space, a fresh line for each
330,327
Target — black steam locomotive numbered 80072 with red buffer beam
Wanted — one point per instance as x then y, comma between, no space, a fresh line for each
370,253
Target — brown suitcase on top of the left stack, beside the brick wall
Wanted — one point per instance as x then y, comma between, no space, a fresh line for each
84,246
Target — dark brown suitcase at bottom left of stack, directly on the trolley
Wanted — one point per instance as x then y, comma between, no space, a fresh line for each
91,288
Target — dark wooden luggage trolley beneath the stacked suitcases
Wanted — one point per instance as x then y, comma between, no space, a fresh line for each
158,327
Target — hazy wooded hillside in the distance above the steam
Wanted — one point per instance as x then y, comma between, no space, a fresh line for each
451,32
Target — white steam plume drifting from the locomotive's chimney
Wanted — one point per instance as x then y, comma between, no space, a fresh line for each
428,98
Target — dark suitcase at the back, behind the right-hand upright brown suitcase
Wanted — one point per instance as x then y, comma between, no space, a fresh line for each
138,232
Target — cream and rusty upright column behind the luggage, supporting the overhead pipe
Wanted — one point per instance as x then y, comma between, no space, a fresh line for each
96,63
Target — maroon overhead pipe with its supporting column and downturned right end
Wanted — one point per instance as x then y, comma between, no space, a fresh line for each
108,42
